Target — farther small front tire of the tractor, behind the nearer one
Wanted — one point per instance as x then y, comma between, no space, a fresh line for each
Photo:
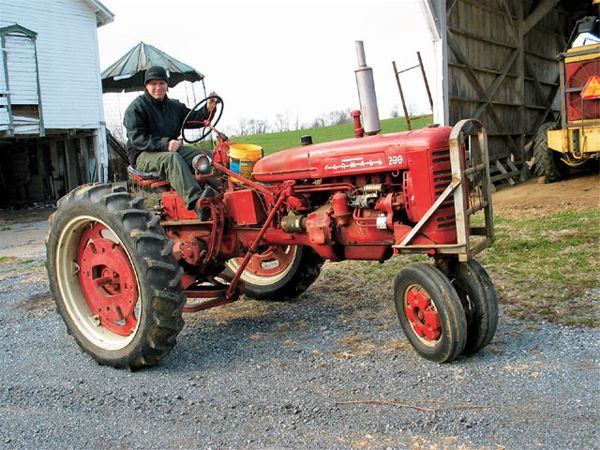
479,301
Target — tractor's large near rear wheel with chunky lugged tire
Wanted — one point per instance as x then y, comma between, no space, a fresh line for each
114,279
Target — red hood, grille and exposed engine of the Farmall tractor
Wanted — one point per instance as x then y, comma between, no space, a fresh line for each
365,194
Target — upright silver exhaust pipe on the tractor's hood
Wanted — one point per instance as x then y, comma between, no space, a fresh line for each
366,92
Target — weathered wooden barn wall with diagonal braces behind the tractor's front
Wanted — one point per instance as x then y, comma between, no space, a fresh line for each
499,73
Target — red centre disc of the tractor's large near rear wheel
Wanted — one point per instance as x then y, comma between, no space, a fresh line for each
107,280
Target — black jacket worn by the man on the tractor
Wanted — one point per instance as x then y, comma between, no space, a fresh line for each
151,124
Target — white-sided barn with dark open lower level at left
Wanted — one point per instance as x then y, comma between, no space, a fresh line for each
52,130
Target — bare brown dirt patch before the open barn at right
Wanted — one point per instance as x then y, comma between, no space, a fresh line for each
533,199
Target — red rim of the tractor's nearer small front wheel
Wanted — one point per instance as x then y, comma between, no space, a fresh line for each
422,314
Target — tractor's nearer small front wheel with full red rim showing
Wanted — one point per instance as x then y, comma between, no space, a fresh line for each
430,312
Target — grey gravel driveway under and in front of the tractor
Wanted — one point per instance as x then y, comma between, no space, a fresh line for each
331,370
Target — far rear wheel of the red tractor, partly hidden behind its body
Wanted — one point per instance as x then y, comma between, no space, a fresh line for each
279,273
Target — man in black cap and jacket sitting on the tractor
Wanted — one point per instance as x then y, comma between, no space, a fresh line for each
153,122
